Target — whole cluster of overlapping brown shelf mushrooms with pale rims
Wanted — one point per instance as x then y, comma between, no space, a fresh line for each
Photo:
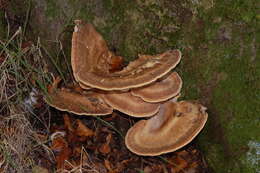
147,87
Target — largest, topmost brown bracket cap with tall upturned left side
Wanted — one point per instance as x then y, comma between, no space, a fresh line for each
90,59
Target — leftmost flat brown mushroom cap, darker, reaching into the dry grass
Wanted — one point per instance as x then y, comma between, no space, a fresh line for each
86,103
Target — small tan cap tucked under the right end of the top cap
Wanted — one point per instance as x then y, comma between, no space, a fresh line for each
160,90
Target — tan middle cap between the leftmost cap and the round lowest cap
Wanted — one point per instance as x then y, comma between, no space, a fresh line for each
130,105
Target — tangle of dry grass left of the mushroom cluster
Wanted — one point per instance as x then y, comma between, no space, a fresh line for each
22,77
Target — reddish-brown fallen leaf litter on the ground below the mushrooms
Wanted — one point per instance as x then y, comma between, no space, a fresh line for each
85,144
